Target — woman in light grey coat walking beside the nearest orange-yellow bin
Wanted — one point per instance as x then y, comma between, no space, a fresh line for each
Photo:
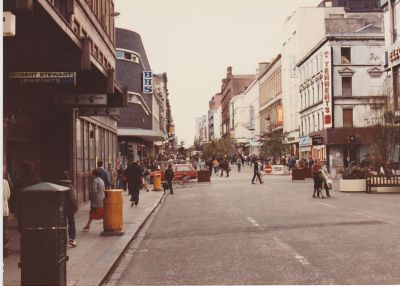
96,196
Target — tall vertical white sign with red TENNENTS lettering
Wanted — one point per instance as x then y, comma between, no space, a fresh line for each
327,85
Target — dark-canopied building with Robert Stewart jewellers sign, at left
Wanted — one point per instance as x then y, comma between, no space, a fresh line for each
61,114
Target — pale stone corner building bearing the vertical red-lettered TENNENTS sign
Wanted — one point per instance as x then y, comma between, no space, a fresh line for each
340,90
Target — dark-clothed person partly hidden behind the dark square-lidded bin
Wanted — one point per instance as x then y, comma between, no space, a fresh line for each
71,207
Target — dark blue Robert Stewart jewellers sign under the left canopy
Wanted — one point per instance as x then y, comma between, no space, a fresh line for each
44,77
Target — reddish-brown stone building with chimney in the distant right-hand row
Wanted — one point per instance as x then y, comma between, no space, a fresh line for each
232,86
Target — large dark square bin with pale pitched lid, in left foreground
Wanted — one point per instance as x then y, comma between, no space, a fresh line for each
43,234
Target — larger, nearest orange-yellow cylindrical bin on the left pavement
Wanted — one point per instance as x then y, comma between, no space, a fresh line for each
113,222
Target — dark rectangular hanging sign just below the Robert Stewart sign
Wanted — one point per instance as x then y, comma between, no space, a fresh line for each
81,99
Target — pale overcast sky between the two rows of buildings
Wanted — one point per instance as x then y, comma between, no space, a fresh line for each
194,41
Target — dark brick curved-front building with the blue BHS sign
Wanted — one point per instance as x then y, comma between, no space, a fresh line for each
140,124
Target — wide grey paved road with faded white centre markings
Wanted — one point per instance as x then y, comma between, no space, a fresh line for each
232,232
